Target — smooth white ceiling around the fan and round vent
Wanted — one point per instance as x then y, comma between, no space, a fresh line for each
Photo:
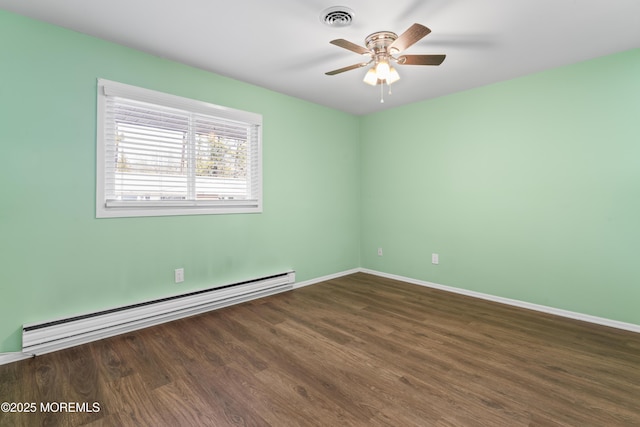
283,45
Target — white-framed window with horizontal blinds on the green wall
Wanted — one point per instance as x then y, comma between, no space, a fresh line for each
160,154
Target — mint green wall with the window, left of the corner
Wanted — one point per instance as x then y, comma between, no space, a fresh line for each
59,260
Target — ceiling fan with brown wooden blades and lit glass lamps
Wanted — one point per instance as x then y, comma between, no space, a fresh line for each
382,49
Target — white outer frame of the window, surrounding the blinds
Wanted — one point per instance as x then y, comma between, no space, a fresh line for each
111,209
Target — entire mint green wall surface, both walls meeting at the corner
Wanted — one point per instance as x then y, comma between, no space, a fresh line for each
528,189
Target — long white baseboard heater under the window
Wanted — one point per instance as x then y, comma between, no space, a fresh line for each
45,337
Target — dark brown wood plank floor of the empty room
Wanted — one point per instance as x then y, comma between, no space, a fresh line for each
356,351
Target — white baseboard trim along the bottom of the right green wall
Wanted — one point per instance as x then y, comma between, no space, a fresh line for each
516,303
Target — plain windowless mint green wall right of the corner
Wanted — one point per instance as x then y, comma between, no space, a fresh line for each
528,189
